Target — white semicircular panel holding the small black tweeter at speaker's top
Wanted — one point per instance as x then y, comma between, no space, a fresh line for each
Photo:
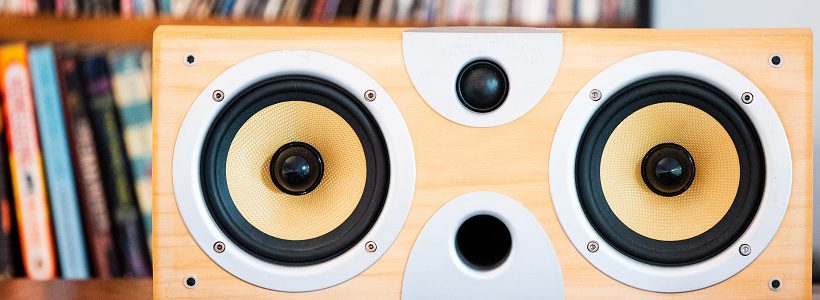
525,61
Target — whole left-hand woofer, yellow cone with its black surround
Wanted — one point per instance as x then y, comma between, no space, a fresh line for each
253,207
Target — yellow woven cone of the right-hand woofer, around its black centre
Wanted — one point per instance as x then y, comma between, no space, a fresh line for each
703,204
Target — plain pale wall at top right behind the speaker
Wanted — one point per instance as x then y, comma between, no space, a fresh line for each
751,13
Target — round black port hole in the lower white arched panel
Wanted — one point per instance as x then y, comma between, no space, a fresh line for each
483,242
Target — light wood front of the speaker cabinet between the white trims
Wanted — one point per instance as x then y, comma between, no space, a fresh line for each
477,159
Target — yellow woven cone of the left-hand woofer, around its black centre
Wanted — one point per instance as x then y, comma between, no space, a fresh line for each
286,216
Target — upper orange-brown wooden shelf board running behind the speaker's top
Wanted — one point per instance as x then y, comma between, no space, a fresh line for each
115,31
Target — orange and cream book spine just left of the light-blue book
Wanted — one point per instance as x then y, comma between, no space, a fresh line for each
26,165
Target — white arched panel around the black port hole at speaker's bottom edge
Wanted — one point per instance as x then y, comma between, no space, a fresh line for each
483,245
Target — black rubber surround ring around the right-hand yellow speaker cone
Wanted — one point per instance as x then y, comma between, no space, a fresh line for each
687,91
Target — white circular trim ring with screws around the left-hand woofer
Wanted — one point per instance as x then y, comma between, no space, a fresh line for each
203,228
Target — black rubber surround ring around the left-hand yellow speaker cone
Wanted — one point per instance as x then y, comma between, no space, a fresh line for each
215,187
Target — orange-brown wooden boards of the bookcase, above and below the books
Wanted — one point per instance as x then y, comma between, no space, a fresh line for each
114,32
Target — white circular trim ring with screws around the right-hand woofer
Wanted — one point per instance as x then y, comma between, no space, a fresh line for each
776,193
